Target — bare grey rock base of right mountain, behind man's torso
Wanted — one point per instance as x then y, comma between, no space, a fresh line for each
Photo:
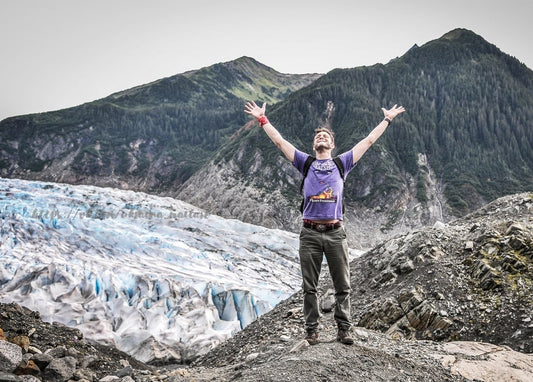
254,199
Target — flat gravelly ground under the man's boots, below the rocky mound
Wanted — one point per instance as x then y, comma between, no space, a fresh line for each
272,349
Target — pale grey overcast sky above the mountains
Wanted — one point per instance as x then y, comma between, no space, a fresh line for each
60,53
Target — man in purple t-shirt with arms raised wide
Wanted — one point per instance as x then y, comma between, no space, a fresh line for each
322,232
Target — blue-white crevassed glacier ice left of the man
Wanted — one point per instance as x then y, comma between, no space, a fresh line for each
156,277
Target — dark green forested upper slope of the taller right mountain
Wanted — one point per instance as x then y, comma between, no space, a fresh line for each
469,119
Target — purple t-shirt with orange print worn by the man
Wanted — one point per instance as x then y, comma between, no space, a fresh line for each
323,186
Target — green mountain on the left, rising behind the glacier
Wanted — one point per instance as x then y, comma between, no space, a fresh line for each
151,137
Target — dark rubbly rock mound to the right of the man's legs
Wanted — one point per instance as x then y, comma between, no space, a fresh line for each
468,280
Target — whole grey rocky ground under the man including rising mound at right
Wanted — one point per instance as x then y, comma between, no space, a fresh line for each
417,286
